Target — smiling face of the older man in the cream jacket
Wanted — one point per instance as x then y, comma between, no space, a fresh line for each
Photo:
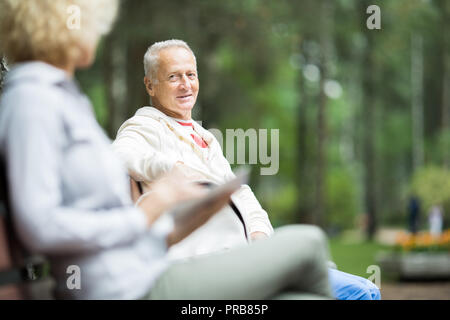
177,87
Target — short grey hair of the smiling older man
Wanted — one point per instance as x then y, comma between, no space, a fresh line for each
151,57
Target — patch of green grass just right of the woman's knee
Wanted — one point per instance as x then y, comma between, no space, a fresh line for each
354,257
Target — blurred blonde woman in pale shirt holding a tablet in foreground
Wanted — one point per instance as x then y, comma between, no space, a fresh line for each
70,195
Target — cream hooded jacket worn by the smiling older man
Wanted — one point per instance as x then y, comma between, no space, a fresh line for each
150,143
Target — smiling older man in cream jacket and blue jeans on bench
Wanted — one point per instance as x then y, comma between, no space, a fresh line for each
163,137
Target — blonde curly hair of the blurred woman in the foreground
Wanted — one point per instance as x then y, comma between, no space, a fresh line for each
44,29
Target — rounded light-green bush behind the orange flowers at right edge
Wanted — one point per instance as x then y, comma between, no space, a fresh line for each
432,186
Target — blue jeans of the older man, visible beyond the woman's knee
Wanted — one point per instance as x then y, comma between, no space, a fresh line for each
346,286
